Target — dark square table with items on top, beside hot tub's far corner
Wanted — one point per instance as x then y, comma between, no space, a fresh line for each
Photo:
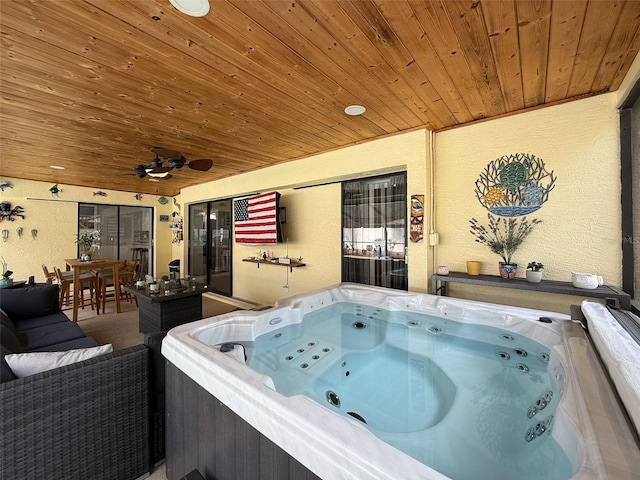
160,312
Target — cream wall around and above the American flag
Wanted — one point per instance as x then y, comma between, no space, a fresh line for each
313,213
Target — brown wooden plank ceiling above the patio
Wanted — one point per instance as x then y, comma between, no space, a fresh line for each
91,85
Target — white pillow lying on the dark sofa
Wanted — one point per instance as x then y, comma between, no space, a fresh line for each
25,364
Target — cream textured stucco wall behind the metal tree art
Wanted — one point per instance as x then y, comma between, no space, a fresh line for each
579,141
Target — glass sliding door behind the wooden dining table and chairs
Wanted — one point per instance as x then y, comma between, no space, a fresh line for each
126,233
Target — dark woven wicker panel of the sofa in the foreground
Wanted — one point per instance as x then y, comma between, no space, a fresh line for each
88,420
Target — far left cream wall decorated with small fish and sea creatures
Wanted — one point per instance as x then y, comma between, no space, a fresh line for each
56,219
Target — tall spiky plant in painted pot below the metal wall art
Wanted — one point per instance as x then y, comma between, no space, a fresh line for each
503,236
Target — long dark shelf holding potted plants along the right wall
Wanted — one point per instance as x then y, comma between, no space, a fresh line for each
611,295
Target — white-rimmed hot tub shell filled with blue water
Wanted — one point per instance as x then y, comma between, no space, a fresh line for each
455,418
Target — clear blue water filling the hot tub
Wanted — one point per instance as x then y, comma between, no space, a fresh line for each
471,401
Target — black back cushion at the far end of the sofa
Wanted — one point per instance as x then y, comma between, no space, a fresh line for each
30,301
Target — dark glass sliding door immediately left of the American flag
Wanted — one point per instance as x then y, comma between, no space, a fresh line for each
210,244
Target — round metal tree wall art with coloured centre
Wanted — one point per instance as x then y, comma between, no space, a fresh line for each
514,185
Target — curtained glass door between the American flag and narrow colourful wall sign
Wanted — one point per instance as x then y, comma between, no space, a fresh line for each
374,231
